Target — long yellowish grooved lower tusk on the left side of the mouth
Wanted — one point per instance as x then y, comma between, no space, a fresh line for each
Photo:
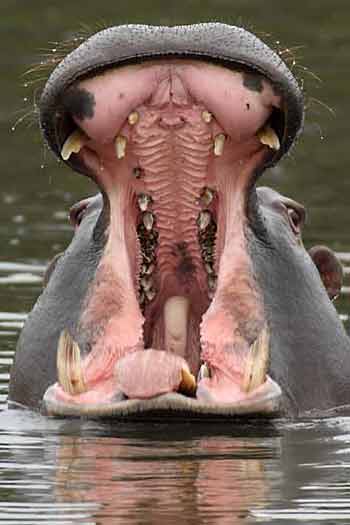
69,370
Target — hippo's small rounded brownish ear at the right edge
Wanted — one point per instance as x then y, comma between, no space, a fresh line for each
330,269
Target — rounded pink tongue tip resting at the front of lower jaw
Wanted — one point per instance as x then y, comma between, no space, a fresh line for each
148,373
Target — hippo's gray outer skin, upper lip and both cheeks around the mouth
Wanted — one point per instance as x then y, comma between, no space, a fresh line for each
309,356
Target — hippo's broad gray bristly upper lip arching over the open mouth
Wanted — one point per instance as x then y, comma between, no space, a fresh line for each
233,47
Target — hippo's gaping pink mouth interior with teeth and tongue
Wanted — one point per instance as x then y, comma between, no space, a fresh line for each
174,318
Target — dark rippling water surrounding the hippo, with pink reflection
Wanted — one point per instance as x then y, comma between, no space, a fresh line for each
55,471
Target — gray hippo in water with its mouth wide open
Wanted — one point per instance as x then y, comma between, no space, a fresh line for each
186,290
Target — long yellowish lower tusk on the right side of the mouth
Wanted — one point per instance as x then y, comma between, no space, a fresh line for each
257,361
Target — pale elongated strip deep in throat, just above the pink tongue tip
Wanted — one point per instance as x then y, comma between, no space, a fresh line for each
176,311
